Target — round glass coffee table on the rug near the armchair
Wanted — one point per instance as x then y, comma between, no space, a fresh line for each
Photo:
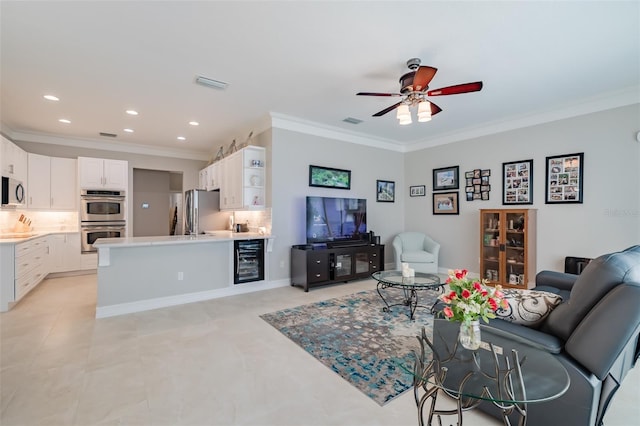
409,286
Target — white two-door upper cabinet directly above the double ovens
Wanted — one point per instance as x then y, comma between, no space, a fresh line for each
99,173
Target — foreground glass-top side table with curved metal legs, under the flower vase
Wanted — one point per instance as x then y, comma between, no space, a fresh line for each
506,371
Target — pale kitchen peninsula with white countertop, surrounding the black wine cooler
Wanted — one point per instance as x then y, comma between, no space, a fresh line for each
142,273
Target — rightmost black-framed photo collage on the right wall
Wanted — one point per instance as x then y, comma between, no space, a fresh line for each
563,183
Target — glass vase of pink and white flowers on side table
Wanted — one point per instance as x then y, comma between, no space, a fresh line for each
468,301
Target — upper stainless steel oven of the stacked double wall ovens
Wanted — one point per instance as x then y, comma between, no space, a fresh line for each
99,205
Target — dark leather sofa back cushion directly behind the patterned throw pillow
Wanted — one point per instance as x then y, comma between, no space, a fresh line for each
597,279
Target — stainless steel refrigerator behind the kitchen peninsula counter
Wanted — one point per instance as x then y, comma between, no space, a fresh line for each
202,212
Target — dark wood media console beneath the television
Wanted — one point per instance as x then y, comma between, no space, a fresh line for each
313,267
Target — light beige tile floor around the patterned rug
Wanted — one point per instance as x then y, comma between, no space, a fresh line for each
206,363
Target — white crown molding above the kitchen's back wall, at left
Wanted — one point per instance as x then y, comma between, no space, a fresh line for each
116,146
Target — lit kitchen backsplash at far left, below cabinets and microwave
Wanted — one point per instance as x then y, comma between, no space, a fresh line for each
41,221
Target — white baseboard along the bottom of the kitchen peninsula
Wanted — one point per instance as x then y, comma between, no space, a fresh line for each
181,299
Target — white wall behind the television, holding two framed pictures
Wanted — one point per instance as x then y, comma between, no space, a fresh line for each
291,155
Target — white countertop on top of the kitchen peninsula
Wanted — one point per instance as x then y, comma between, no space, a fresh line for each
218,236
